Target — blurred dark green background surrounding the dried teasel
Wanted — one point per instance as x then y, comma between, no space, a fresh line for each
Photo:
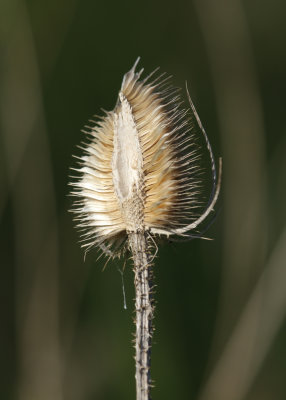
220,315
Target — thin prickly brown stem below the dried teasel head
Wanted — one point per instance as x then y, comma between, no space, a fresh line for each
144,312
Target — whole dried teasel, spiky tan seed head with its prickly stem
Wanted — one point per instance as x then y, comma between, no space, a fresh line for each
139,179
